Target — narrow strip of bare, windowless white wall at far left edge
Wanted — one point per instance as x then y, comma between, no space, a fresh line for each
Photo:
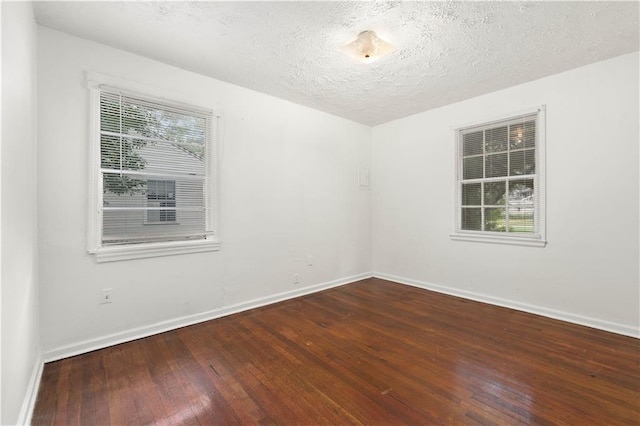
20,345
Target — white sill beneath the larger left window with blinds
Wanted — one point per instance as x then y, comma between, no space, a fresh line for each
142,251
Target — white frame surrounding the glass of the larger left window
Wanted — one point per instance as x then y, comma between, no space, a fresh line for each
108,253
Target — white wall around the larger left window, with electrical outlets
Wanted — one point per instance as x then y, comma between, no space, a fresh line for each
289,189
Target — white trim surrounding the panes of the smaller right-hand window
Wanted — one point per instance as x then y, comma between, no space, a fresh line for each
539,239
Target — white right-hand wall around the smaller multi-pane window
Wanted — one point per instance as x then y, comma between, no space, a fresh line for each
589,271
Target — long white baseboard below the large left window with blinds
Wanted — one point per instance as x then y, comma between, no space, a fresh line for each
160,327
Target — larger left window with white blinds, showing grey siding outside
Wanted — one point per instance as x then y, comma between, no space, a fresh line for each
154,190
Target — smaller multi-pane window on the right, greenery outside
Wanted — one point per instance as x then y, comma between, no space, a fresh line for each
499,182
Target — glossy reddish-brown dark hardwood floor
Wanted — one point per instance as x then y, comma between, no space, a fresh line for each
372,352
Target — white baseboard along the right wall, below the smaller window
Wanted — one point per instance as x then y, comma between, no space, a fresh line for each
613,327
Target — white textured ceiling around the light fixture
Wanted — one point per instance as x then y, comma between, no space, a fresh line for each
446,51
